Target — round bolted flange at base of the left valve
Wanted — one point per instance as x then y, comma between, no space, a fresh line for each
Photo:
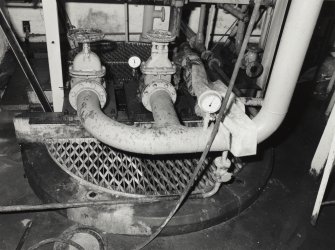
91,85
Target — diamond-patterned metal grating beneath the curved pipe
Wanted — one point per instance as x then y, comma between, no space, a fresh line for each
126,174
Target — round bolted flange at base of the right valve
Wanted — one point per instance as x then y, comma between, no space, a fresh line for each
156,86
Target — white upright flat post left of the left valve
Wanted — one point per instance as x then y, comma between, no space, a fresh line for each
54,55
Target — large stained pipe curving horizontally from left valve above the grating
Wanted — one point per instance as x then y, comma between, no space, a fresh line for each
173,139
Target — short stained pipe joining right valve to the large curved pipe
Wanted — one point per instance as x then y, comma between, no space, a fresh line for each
163,110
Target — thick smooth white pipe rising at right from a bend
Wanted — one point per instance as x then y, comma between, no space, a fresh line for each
300,23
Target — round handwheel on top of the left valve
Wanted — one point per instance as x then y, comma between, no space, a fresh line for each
85,35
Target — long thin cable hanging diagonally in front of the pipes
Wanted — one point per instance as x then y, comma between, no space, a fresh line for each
219,119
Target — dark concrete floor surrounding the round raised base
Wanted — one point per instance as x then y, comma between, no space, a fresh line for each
279,219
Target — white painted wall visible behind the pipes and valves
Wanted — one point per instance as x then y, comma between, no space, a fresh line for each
109,18
